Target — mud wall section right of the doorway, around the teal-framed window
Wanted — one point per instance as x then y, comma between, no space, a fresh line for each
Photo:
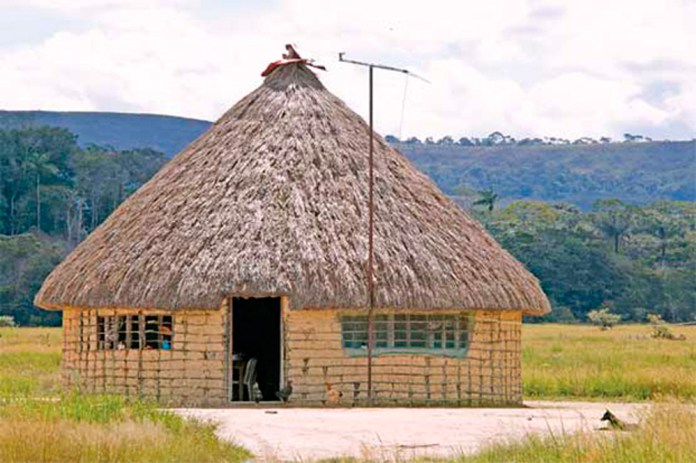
489,374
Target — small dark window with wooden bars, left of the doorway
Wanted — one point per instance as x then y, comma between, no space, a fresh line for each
119,332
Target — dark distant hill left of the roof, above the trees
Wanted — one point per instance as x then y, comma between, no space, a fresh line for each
167,134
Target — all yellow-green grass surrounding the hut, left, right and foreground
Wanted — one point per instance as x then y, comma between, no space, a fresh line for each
559,362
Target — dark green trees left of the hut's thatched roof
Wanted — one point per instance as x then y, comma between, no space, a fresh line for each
52,194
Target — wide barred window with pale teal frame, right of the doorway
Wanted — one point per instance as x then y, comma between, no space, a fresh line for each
407,333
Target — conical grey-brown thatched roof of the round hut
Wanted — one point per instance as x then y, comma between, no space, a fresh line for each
272,200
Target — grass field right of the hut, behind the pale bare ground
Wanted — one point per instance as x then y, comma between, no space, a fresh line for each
624,363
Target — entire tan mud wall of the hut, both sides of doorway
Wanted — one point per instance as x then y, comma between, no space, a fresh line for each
193,372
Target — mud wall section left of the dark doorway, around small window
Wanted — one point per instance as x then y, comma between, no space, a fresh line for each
192,372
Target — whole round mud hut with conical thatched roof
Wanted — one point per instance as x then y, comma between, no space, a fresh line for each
241,266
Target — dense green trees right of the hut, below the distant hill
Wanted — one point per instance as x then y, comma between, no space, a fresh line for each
632,260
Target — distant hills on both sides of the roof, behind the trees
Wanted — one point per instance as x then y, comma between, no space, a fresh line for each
579,174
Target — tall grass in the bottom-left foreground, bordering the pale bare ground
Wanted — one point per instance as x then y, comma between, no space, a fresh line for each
105,429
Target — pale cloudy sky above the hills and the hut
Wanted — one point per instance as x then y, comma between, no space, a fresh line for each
526,68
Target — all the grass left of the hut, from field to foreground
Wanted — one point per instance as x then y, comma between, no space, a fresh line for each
39,424
